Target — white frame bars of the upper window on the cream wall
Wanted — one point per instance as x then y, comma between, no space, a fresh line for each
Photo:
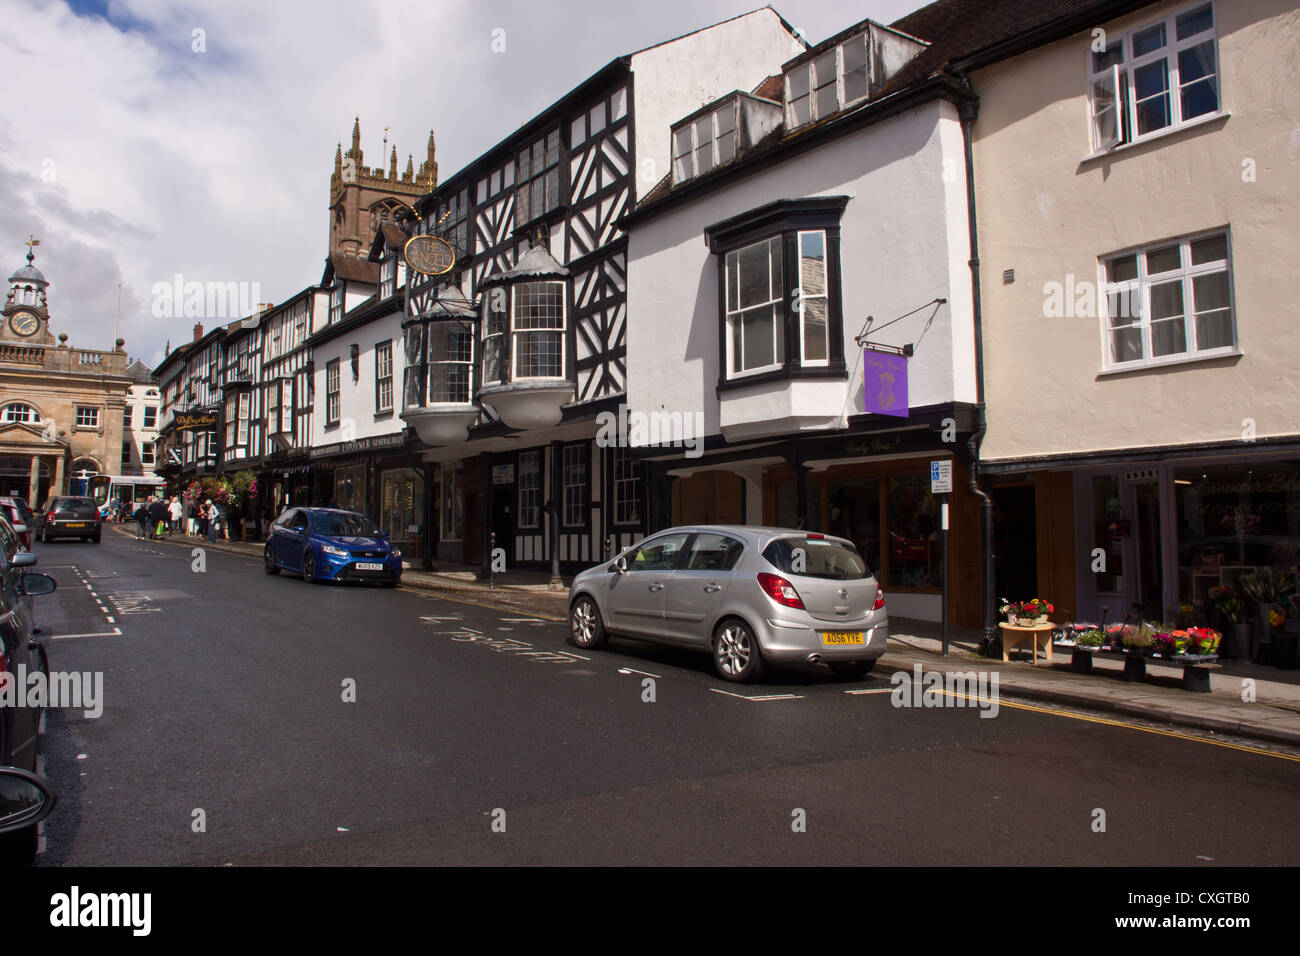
1119,79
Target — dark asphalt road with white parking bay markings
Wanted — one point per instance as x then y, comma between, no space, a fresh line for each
224,704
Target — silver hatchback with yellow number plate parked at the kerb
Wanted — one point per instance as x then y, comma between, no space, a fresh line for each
747,595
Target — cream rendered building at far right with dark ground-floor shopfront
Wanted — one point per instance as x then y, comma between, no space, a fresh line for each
1137,185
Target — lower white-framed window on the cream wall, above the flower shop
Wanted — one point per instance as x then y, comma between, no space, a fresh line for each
1169,302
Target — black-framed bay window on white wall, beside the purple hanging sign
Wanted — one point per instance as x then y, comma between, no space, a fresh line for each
782,314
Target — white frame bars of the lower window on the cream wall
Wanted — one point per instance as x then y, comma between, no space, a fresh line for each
1139,291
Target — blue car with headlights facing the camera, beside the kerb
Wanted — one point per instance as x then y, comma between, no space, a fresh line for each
326,544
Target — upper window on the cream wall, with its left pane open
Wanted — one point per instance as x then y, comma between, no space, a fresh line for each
1158,77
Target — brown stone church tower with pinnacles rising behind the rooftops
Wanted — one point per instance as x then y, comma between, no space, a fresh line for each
362,198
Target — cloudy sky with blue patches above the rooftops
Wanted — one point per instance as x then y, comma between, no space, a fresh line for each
146,140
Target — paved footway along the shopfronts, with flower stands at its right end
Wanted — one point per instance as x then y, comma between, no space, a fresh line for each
1246,700
